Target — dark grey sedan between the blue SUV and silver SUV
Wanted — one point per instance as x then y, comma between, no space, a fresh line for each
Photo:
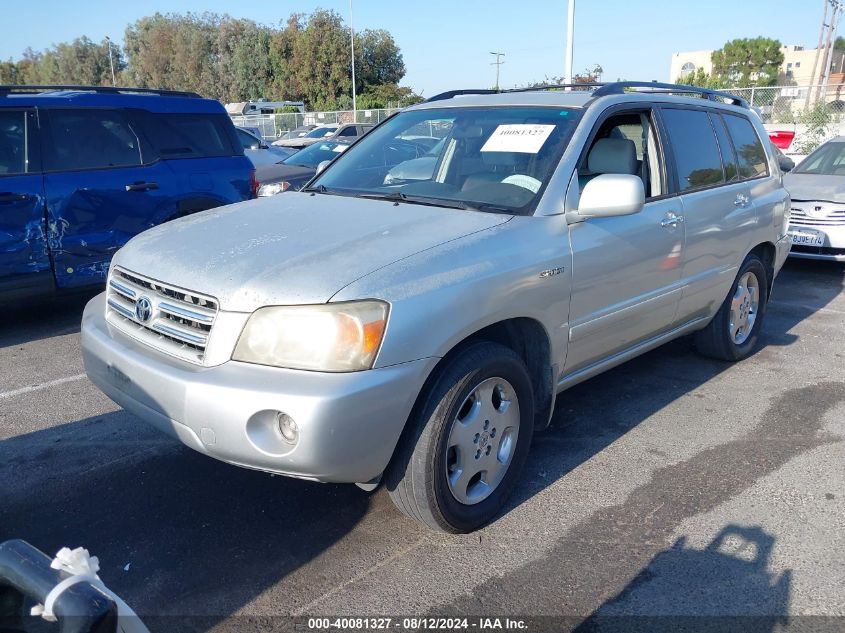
292,173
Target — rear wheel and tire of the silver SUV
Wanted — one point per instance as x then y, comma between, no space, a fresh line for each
733,332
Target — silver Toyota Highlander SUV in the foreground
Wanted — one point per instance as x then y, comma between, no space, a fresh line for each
417,332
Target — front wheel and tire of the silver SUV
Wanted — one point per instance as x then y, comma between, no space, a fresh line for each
466,442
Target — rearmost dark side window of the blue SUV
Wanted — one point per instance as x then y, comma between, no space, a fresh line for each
190,135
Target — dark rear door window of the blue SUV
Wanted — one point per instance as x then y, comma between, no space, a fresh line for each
91,139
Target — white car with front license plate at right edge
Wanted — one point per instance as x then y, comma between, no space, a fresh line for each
817,187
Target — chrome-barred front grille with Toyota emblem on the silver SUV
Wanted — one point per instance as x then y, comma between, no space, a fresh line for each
178,321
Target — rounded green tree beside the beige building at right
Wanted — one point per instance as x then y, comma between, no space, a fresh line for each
748,62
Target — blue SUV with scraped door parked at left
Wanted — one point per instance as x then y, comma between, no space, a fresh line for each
84,169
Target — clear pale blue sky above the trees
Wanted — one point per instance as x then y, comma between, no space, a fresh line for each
446,44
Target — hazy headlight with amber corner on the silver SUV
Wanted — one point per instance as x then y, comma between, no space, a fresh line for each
331,337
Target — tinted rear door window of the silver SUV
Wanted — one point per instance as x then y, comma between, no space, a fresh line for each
694,147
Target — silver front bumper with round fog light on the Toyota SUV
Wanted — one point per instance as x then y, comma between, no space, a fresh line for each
348,423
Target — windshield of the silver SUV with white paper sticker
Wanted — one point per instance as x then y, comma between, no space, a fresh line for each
491,158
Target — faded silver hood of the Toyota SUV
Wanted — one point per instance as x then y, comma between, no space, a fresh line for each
296,248
